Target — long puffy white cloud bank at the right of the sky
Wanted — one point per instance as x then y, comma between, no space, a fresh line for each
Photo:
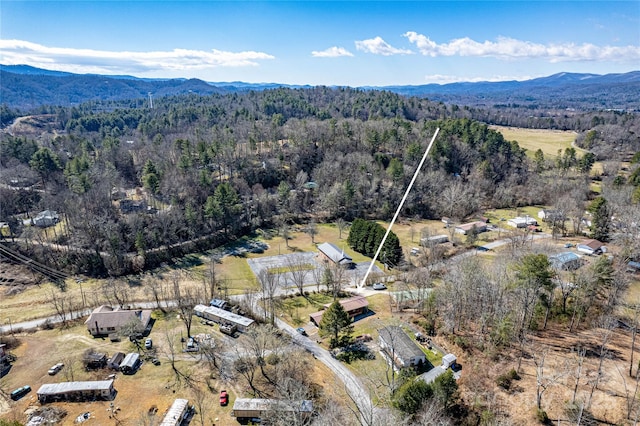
509,48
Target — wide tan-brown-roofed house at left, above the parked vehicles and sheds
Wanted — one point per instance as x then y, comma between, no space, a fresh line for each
105,320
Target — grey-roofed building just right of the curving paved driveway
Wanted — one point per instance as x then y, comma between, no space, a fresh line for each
398,348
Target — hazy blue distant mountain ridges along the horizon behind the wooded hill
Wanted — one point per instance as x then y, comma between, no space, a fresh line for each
27,87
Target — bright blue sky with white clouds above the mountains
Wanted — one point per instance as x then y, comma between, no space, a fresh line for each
359,43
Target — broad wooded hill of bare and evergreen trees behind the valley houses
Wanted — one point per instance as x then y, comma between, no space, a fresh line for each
211,168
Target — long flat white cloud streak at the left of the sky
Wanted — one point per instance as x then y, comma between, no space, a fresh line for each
101,61
